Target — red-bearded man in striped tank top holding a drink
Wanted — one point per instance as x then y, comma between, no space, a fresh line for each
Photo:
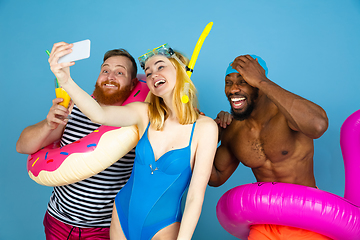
83,210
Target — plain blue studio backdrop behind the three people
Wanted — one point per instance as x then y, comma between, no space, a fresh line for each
311,47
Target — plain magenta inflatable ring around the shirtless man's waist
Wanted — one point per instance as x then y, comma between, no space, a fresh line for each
300,206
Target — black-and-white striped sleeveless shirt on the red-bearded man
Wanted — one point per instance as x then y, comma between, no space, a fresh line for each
89,203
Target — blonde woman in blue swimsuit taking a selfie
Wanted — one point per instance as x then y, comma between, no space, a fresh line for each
175,152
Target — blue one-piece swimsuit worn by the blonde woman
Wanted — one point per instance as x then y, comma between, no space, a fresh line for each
151,199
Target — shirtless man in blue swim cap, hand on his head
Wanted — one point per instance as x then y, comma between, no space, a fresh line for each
270,130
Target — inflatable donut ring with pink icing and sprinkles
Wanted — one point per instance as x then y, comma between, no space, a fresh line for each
56,166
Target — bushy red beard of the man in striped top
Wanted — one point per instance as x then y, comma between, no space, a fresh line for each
111,98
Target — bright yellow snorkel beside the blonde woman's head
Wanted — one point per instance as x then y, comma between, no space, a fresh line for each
194,56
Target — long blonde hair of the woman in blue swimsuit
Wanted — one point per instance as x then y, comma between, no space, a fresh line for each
185,112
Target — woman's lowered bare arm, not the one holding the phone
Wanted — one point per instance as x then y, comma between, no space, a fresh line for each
207,133
